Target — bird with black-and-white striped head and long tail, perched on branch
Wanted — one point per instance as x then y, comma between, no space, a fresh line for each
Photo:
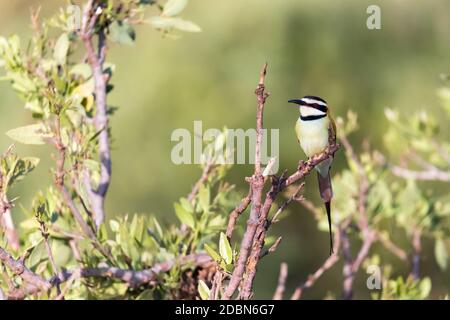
313,129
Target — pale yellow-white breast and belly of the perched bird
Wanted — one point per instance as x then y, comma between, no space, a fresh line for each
312,135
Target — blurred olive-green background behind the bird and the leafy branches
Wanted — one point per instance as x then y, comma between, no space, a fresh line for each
313,47
